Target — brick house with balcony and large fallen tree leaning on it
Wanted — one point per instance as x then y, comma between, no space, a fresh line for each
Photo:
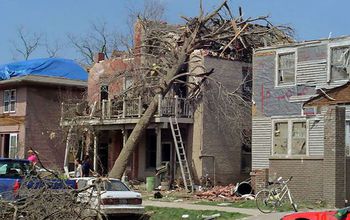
211,148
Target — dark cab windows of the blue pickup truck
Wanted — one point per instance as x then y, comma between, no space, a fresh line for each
13,169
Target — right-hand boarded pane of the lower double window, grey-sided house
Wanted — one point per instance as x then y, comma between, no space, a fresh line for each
299,138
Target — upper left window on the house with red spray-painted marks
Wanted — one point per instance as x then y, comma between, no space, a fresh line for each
286,68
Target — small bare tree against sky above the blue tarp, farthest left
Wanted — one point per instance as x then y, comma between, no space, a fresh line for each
28,43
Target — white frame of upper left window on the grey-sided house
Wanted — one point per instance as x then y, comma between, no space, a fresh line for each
278,54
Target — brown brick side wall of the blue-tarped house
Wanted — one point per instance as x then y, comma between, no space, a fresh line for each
43,131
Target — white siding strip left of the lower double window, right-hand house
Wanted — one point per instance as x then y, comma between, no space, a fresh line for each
261,142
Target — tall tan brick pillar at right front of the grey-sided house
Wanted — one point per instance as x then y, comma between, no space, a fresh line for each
334,157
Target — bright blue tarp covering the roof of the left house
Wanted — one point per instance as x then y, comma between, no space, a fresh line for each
52,67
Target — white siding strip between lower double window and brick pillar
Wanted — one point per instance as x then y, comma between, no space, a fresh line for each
316,136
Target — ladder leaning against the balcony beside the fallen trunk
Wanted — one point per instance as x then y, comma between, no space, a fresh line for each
181,154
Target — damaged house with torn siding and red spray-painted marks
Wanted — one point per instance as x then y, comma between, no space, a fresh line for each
300,125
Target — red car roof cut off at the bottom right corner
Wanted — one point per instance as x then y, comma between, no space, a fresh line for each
340,214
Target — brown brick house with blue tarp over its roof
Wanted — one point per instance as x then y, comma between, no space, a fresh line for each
31,93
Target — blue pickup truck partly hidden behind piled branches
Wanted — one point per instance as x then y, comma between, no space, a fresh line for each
12,173
